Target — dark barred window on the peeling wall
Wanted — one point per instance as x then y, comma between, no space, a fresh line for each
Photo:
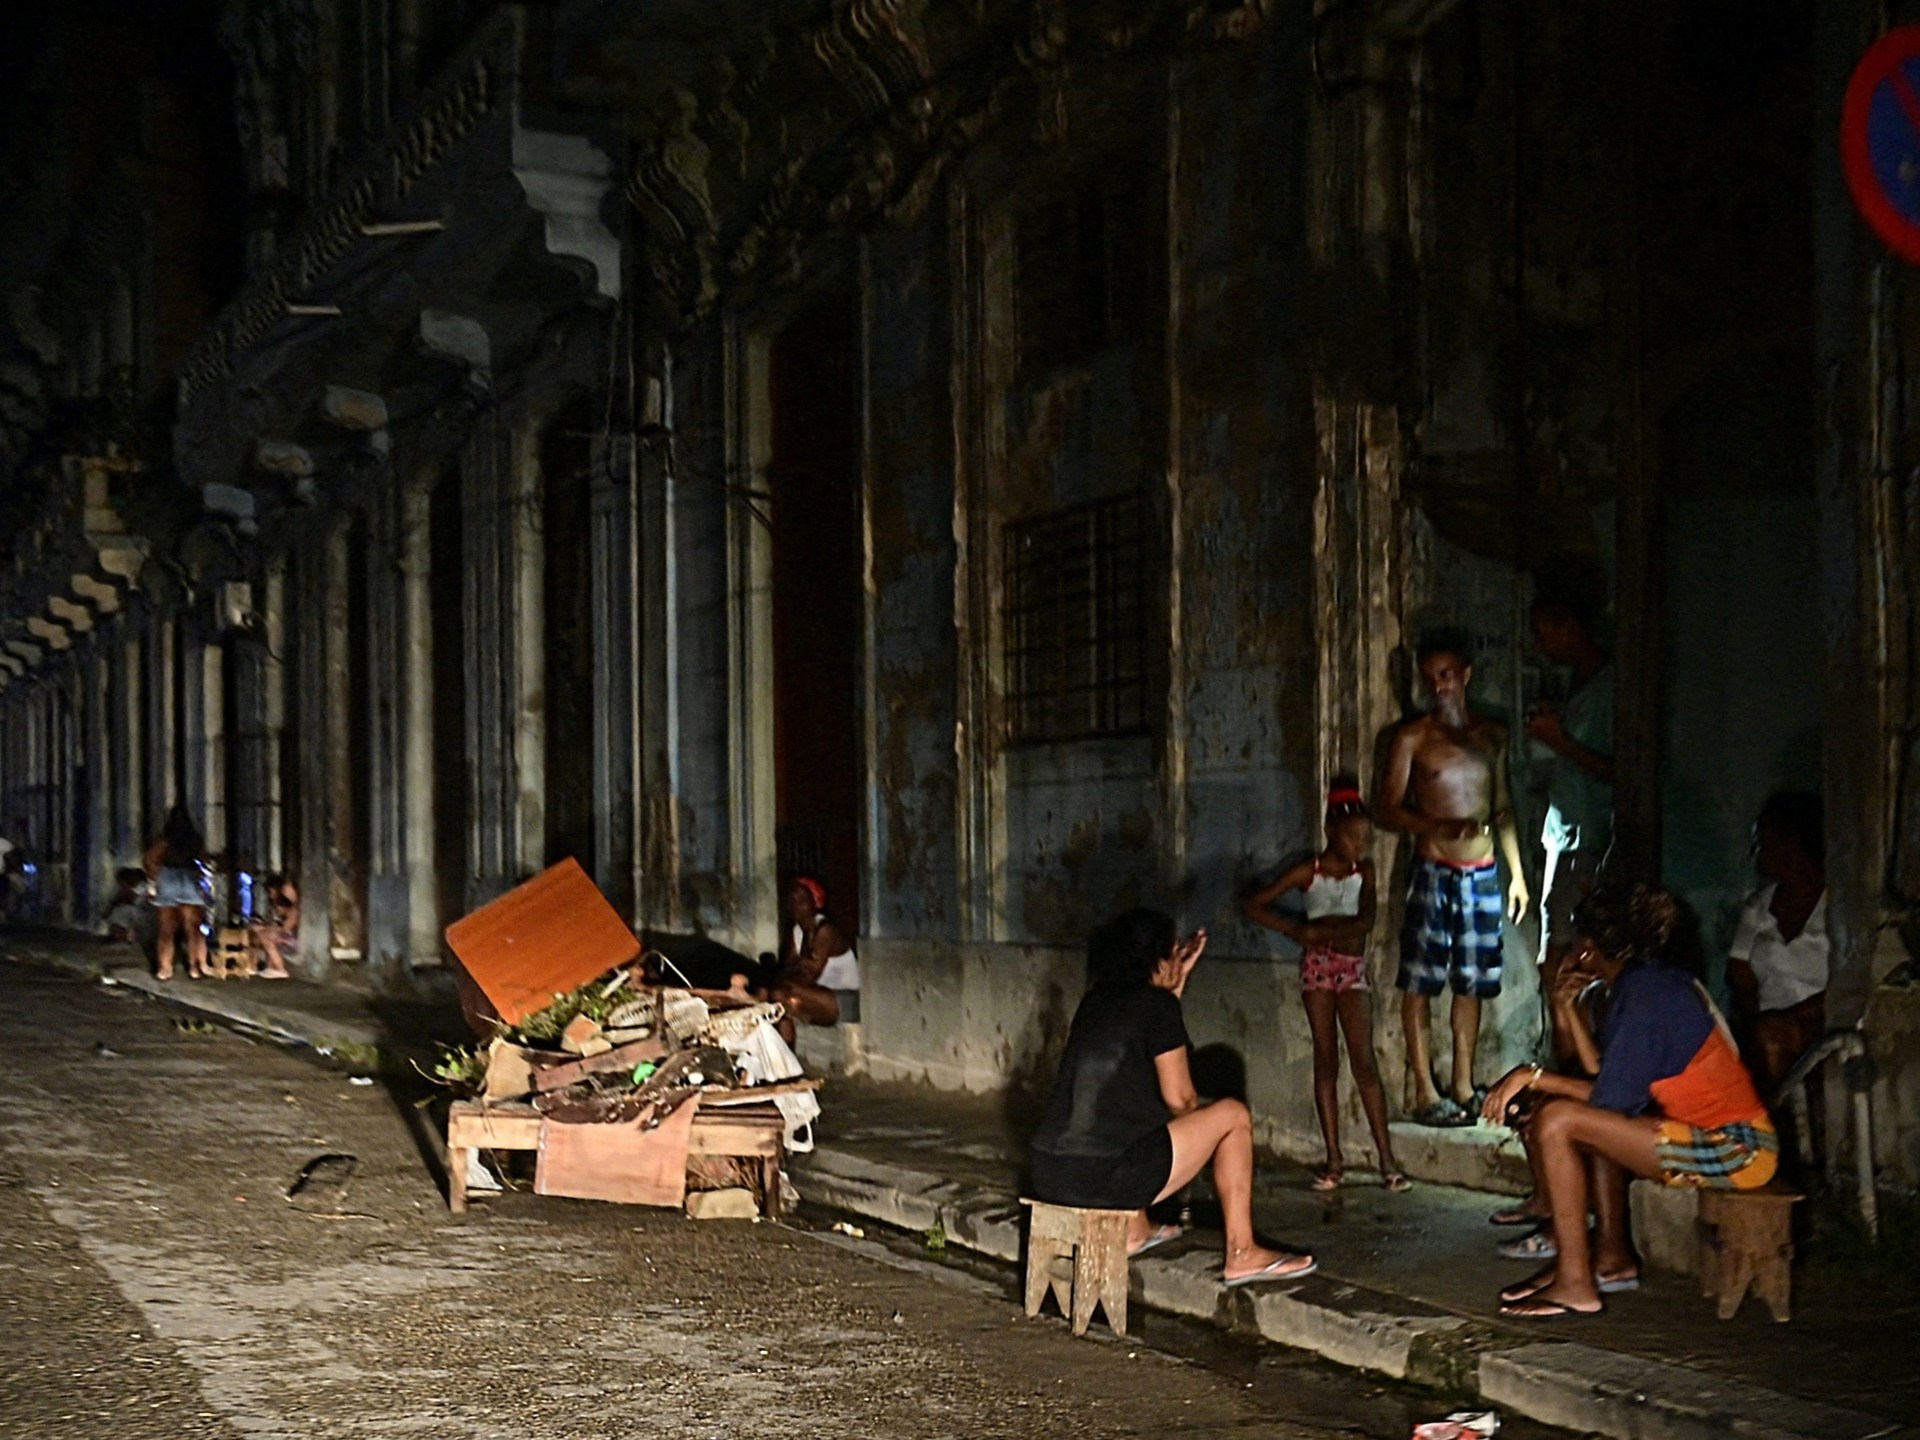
1076,625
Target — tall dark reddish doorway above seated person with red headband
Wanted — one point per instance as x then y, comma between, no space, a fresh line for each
815,477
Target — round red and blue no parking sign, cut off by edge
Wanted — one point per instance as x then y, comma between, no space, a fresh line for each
1881,139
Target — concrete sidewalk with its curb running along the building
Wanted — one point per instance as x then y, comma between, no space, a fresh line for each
1406,1285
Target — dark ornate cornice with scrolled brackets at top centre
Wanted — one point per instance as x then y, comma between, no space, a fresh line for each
855,118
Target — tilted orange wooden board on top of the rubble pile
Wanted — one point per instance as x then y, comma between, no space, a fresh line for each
540,940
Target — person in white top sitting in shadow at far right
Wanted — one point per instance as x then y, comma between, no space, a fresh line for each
1779,963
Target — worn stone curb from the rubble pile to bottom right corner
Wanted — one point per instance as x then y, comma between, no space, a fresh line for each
1570,1385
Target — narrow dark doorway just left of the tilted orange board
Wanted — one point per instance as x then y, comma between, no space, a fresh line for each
448,608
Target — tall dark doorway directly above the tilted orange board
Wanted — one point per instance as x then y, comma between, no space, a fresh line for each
567,535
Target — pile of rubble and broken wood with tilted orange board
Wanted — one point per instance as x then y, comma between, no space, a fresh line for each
627,1086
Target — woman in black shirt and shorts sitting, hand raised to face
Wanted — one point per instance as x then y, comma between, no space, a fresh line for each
1124,1126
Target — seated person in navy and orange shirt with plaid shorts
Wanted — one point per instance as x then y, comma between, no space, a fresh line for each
1671,1101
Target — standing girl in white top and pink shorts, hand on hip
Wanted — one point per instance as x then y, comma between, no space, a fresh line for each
1337,888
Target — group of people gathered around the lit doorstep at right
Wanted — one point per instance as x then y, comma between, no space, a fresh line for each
1641,1074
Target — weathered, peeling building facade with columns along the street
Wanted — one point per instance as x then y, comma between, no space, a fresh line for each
997,456
